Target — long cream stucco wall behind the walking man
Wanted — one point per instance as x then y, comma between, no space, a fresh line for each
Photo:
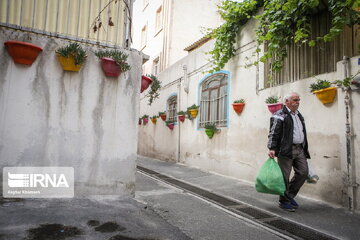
240,149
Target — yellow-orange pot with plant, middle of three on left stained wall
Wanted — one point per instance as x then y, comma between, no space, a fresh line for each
71,57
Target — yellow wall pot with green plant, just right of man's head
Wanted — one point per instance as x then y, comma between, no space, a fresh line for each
323,91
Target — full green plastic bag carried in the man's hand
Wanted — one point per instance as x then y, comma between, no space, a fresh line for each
270,178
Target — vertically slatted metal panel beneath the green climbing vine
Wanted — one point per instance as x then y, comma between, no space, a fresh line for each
304,61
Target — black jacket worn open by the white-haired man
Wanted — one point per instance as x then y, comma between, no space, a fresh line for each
281,134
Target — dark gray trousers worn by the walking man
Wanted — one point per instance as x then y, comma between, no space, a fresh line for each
299,163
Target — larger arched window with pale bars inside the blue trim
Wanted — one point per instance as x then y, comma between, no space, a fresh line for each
213,100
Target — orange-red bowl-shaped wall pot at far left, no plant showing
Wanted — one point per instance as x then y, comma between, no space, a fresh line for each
22,52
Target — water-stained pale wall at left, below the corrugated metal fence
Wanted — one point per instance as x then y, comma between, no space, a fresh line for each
85,120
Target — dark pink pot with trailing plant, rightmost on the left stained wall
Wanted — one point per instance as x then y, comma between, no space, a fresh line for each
113,62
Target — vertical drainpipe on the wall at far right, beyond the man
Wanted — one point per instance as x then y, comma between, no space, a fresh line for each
351,175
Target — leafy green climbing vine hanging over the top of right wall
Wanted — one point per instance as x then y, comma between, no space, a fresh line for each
282,22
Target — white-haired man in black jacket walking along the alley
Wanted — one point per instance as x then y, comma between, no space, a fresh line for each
288,142
